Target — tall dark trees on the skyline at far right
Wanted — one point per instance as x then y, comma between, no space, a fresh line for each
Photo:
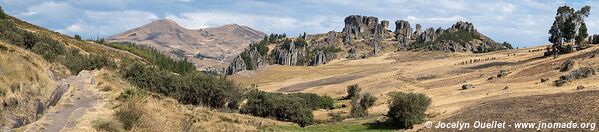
568,26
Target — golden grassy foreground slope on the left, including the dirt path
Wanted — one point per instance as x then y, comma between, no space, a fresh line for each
31,88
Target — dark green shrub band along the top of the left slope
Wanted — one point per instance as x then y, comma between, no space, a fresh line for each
49,48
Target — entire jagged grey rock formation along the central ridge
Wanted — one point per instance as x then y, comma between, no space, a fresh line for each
364,36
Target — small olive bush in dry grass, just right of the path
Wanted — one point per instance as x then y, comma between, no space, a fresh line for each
129,114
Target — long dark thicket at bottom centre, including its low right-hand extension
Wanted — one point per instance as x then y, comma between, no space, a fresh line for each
295,107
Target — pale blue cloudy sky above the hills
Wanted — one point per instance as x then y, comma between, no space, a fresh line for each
520,22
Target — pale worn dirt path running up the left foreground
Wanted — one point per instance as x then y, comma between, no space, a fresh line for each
82,101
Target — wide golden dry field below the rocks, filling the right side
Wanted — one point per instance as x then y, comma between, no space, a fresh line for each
440,76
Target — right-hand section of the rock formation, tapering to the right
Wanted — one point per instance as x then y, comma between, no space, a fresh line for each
461,37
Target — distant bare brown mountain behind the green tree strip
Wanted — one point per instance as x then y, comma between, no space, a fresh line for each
207,47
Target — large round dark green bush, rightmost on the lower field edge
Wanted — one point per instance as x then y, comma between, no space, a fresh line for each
407,109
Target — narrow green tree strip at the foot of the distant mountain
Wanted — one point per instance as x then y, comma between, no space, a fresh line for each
155,57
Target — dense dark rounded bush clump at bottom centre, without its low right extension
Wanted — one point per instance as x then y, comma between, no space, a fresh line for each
279,106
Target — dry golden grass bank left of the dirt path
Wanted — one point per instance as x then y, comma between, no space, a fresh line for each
24,79
